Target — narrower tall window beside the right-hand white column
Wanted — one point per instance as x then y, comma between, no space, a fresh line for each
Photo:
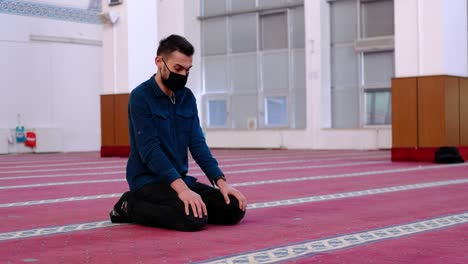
362,62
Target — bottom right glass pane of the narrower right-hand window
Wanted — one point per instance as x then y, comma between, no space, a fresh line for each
378,107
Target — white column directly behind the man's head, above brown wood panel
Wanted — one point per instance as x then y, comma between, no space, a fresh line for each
129,45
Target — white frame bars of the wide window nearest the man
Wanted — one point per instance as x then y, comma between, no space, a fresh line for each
260,93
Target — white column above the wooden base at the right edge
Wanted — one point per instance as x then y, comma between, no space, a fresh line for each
430,37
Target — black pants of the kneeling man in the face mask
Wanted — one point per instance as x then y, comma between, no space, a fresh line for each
158,205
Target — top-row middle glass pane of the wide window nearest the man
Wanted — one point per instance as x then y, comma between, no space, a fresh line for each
244,33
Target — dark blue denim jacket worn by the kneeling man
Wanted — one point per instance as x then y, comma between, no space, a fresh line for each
160,135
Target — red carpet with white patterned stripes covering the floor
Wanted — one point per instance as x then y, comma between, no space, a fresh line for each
304,207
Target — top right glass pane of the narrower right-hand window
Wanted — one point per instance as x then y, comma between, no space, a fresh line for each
377,18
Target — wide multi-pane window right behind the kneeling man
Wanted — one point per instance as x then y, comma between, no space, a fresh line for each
253,64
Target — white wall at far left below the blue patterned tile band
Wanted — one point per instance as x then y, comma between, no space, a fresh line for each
51,84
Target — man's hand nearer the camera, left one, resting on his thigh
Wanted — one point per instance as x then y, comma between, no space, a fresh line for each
190,199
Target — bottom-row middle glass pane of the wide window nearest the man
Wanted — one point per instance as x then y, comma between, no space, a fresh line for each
244,108
